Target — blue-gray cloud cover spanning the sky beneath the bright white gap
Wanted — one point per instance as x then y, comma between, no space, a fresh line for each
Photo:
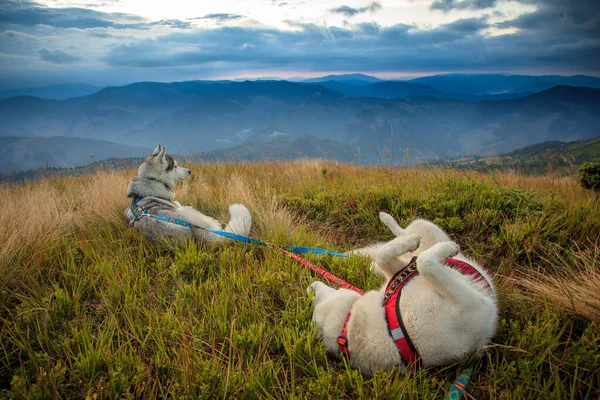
557,37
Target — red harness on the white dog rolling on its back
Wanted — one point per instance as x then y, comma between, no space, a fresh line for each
391,303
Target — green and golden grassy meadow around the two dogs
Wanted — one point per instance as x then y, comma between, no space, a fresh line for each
89,309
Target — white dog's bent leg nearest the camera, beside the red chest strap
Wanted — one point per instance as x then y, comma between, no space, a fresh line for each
447,282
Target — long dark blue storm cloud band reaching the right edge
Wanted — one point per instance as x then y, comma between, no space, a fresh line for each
459,45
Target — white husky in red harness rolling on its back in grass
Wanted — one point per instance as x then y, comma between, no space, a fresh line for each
443,314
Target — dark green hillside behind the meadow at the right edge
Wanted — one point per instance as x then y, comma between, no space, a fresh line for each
541,158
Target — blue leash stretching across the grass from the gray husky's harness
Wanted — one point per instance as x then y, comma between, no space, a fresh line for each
139,212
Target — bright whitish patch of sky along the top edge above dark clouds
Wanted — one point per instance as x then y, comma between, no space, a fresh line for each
278,13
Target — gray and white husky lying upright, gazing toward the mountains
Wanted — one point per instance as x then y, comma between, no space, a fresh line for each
152,191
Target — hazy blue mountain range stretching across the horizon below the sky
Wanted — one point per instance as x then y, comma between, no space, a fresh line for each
378,119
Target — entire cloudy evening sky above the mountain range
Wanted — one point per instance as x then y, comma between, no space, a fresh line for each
113,42
